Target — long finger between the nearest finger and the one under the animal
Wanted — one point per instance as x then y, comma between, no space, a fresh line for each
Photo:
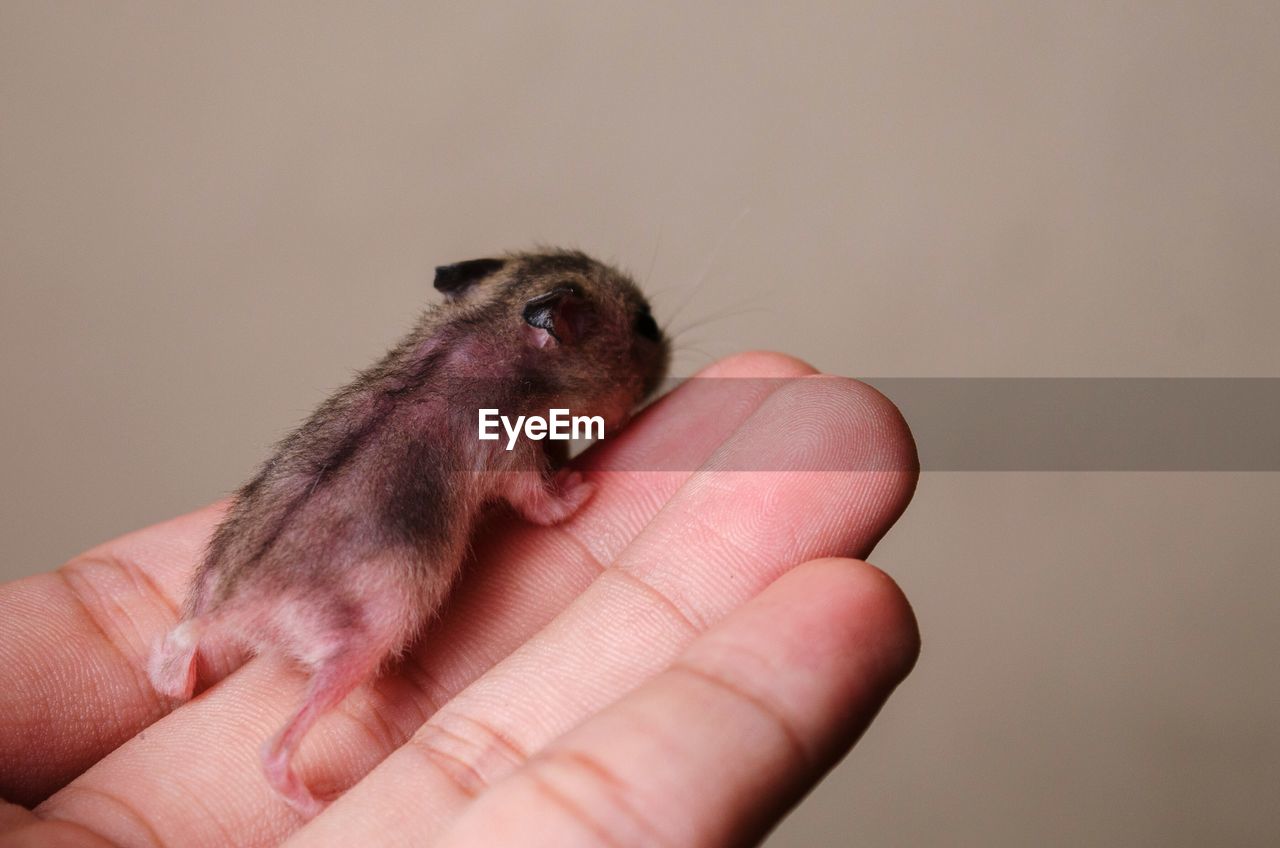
720,540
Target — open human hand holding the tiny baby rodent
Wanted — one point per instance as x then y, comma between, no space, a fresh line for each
675,665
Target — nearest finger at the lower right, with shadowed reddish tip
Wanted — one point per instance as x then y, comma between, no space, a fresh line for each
715,750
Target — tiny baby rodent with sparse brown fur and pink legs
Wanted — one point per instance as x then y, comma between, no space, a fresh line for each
350,536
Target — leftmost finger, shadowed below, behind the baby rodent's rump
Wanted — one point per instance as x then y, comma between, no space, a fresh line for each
72,645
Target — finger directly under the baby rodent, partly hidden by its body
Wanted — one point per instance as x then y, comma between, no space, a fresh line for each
542,571
